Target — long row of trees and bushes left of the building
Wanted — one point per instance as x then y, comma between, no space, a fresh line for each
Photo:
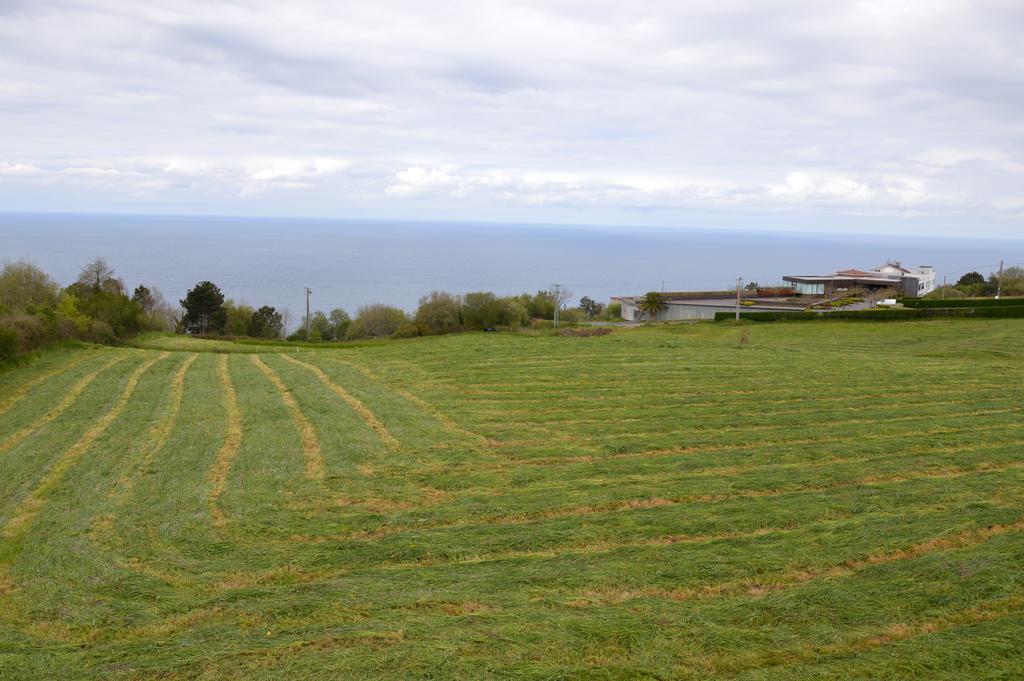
36,312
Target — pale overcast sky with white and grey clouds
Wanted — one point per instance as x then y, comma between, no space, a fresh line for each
893,116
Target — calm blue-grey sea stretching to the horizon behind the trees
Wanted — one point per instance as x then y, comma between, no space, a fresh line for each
350,264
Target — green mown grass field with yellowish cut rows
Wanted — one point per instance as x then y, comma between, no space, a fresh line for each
830,501
